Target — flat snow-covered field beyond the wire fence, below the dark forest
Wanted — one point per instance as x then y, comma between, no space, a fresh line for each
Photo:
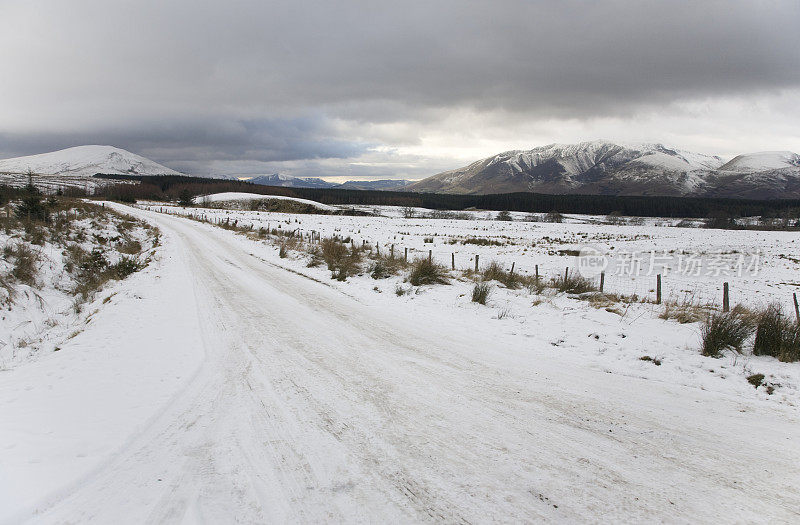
760,266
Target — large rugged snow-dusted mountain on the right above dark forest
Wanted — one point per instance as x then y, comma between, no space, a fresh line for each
607,168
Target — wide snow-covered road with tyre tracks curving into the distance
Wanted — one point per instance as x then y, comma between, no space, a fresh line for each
312,406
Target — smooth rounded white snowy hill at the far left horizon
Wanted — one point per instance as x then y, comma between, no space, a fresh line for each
86,161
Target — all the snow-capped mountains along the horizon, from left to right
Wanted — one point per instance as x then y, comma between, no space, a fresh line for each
592,168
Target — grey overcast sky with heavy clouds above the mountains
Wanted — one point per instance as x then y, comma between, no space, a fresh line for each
369,89
